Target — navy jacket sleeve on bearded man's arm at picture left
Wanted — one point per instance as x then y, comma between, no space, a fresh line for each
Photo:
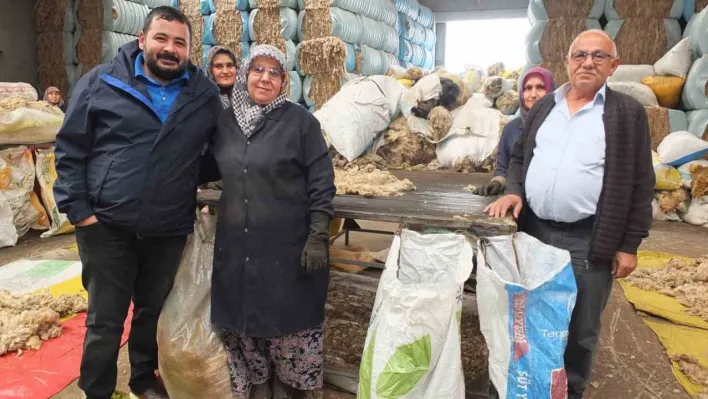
73,147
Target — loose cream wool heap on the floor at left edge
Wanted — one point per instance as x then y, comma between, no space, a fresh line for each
27,320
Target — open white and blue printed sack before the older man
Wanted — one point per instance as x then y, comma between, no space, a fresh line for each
522,282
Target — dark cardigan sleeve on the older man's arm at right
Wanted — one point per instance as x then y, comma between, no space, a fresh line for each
640,214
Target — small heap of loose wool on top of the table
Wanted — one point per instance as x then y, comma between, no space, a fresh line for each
370,182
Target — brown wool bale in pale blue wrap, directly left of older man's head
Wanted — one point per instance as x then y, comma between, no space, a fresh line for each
549,41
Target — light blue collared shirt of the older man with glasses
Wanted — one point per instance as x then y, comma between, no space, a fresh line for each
564,180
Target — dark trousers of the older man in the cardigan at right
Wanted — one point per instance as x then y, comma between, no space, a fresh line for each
594,283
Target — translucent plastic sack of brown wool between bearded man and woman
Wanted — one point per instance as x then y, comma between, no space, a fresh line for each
192,357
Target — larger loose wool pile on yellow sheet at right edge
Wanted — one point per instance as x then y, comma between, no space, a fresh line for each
685,281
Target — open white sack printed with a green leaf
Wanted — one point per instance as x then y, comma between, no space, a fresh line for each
412,347
